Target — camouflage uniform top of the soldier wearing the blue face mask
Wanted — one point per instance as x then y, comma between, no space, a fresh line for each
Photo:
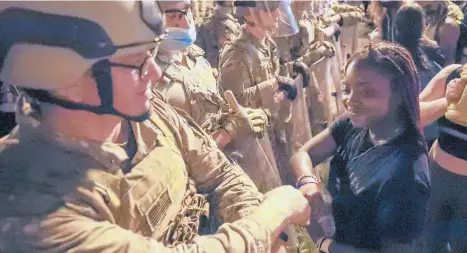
192,88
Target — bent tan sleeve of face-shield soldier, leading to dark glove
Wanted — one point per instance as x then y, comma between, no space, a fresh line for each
234,75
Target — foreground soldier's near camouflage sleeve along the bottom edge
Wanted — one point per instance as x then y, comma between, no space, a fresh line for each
77,227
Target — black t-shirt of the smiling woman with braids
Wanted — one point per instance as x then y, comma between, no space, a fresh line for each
380,193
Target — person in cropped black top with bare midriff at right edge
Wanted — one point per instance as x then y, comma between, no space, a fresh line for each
446,98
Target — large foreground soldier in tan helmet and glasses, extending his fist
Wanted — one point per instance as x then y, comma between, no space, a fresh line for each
94,166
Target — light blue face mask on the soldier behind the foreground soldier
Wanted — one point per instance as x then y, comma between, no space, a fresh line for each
178,39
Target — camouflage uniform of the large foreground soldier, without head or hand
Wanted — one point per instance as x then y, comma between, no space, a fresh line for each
61,194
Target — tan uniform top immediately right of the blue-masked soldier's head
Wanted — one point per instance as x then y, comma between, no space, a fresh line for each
217,29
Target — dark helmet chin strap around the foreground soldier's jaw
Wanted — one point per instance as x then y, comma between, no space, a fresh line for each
102,74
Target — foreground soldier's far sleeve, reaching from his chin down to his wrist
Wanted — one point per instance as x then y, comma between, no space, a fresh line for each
233,193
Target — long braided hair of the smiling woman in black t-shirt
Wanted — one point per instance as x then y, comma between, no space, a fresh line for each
397,64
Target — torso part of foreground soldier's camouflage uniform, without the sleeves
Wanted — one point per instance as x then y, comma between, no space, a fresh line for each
147,200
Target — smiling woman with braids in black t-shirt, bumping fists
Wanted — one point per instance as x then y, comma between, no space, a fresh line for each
379,177
